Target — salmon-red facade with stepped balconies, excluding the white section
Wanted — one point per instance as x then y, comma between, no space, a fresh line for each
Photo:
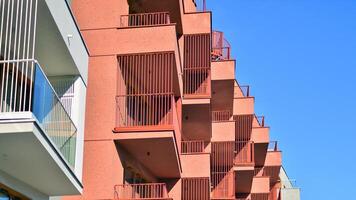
166,118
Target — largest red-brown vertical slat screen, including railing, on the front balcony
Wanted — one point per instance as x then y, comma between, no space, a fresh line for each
145,89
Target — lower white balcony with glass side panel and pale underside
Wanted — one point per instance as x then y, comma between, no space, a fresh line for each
37,135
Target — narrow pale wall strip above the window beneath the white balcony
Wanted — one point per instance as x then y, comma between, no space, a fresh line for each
21,187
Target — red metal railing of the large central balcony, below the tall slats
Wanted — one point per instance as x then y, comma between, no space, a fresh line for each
144,110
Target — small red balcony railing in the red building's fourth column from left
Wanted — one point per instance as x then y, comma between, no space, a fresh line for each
244,153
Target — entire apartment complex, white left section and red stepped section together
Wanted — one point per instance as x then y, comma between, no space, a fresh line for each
164,116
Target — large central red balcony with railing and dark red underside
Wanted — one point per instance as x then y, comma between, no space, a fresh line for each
150,121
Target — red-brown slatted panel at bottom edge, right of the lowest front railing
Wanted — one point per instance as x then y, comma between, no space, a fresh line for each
195,188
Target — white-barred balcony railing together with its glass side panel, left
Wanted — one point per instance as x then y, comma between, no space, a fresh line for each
25,88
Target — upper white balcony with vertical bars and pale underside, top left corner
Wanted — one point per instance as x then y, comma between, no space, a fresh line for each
37,25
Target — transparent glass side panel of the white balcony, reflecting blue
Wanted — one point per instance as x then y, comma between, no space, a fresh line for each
52,116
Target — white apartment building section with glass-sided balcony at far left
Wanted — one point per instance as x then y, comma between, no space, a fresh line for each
43,83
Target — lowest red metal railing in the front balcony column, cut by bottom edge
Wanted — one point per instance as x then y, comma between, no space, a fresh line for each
140,191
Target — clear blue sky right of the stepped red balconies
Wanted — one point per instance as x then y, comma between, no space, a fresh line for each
299,56
